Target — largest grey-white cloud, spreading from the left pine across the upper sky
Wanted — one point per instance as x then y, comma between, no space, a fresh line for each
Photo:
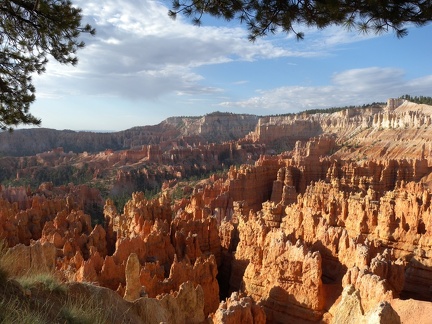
140,53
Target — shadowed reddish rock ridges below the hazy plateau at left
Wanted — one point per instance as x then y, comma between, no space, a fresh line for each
125,171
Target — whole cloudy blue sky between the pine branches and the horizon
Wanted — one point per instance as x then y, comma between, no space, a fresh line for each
143,67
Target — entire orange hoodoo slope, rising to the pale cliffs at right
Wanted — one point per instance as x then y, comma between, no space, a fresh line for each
335,230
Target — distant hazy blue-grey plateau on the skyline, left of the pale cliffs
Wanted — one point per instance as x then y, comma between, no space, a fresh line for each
212,128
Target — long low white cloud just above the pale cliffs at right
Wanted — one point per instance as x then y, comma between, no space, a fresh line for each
354,86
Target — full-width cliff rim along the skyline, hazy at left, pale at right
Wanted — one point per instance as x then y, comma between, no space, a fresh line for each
353,127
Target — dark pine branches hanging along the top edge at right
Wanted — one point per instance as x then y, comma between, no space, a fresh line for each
269,16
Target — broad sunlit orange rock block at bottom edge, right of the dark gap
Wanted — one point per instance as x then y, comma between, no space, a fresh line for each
284,277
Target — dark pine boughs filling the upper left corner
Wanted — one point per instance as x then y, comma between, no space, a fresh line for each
30,31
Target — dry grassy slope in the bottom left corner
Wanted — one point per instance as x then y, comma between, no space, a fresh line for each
49,299
